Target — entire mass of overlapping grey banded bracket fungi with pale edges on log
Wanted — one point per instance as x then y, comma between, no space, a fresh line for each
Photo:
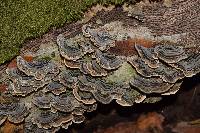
47,95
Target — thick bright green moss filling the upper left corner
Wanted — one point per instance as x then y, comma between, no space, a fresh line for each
23,19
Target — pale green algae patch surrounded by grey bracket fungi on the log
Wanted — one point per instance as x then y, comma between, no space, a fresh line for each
123,74
